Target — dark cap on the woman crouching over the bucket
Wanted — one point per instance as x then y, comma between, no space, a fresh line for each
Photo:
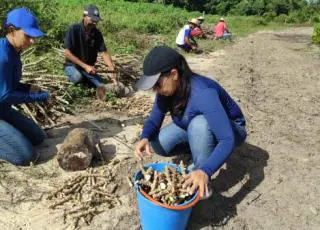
160,59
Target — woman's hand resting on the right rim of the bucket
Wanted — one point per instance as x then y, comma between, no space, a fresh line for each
197,179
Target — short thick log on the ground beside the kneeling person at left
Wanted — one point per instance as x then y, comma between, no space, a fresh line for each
78,149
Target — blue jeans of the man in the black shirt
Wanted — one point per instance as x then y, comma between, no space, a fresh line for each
76,76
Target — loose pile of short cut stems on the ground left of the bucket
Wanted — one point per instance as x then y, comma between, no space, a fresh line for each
84,196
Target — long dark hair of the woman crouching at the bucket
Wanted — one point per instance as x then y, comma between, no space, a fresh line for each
181,96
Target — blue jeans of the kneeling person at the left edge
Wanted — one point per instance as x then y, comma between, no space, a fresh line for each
17,135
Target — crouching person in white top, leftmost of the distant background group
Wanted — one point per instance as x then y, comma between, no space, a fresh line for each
184,39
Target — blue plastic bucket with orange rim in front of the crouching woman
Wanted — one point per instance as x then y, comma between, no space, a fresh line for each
157,216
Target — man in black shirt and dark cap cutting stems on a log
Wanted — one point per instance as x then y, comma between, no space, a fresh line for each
82,43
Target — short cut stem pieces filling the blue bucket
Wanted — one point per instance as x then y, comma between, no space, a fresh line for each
166,186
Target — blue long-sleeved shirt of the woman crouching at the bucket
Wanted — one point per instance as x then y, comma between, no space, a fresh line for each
211,100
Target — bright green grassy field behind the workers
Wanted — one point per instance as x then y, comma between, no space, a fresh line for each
136,27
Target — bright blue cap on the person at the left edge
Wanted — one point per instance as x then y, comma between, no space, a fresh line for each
23,19
